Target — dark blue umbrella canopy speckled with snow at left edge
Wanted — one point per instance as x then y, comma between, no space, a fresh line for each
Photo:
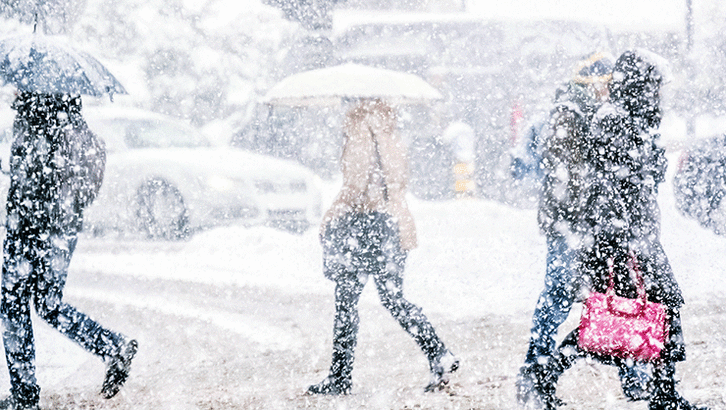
44,64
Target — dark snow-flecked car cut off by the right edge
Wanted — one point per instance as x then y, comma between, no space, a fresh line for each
700,183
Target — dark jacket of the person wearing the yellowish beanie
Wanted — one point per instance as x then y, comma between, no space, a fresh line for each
562,159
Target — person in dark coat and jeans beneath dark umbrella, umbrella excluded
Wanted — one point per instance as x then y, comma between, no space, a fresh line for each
56,170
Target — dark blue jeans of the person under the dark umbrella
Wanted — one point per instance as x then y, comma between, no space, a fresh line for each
35,269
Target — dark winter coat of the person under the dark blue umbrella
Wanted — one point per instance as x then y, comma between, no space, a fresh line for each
56,165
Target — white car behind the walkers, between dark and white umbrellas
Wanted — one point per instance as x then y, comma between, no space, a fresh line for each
165,179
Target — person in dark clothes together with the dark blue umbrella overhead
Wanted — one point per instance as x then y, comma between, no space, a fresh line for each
56,169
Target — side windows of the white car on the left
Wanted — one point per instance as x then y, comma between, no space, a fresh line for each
125,134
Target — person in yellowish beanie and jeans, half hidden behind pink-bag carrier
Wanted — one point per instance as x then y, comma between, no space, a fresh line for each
561,147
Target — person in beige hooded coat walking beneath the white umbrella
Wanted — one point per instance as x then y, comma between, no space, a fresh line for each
368,231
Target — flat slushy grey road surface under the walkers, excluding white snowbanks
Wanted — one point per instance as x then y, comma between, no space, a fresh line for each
235,347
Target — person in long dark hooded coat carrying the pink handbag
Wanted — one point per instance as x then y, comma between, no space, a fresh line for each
625,166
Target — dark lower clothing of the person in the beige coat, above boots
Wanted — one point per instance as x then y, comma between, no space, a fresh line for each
358,246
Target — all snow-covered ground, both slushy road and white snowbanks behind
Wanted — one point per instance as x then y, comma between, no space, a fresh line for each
242,318
